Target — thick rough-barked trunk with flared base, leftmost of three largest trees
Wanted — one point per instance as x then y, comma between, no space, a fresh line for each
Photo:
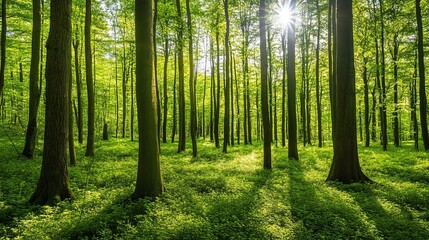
53,184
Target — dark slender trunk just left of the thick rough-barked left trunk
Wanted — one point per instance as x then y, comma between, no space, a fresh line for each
31,134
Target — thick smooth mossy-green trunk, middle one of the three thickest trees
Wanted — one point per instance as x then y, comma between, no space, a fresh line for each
149,180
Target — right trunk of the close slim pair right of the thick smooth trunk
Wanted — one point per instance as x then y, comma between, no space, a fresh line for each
192,93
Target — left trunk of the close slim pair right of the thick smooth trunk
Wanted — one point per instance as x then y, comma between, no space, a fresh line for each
182,116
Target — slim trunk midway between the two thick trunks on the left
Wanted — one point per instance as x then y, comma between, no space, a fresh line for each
89,81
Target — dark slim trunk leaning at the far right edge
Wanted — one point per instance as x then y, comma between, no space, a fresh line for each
422,89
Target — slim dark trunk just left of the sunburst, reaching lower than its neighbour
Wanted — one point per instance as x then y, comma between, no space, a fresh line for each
264,85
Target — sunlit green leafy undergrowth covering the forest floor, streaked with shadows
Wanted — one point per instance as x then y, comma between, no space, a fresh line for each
221,196
